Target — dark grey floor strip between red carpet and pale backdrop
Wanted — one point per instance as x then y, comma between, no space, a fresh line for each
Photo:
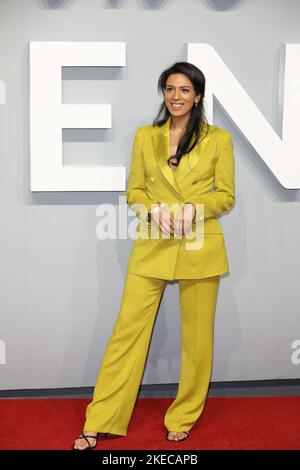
256,388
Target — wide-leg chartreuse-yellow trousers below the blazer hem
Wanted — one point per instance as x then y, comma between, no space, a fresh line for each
123,364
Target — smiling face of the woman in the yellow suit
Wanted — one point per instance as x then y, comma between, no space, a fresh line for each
179,91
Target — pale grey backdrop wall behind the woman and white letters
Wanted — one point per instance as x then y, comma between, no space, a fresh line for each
60,285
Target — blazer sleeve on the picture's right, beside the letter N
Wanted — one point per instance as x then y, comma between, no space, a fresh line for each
222,197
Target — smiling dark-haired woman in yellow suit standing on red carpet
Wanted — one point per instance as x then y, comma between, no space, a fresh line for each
174,164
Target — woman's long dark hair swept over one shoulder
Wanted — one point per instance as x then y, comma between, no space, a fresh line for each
197,117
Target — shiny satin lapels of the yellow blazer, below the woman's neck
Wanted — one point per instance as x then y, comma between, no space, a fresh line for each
161,141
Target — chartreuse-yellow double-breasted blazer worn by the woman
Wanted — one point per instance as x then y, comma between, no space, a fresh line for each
204,176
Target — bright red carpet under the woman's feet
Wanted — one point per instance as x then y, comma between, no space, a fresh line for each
226,423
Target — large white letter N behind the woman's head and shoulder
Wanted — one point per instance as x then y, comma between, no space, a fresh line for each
281,155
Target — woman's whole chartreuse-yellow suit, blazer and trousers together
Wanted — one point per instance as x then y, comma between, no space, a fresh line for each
151,264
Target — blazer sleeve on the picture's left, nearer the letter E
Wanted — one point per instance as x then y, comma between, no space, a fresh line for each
136,195
